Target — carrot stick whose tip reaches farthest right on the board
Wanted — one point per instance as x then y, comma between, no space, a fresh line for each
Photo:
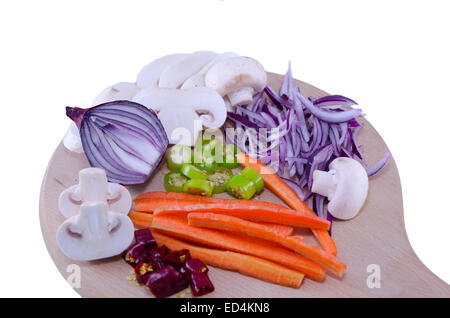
295,243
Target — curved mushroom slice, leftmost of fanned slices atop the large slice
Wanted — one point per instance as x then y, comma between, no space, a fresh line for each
149,75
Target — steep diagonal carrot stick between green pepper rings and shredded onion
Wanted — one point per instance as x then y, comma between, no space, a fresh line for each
273,182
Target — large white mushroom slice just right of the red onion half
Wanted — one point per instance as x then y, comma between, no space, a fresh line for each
184,112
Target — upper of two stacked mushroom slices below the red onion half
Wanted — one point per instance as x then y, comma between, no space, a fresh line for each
93,186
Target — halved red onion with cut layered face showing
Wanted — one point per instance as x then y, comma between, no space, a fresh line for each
122,137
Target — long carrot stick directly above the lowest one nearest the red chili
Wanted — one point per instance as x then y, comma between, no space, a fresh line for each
178,227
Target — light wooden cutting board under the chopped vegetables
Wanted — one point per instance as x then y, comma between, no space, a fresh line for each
375,238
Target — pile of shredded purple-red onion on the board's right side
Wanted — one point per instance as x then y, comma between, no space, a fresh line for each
304,133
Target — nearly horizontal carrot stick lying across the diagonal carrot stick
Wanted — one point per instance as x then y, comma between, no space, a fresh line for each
252,213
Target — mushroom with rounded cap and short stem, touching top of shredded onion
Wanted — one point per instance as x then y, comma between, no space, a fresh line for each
239,78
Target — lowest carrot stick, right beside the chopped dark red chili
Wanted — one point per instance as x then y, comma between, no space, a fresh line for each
244,264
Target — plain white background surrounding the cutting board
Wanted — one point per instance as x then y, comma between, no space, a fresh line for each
390,56
